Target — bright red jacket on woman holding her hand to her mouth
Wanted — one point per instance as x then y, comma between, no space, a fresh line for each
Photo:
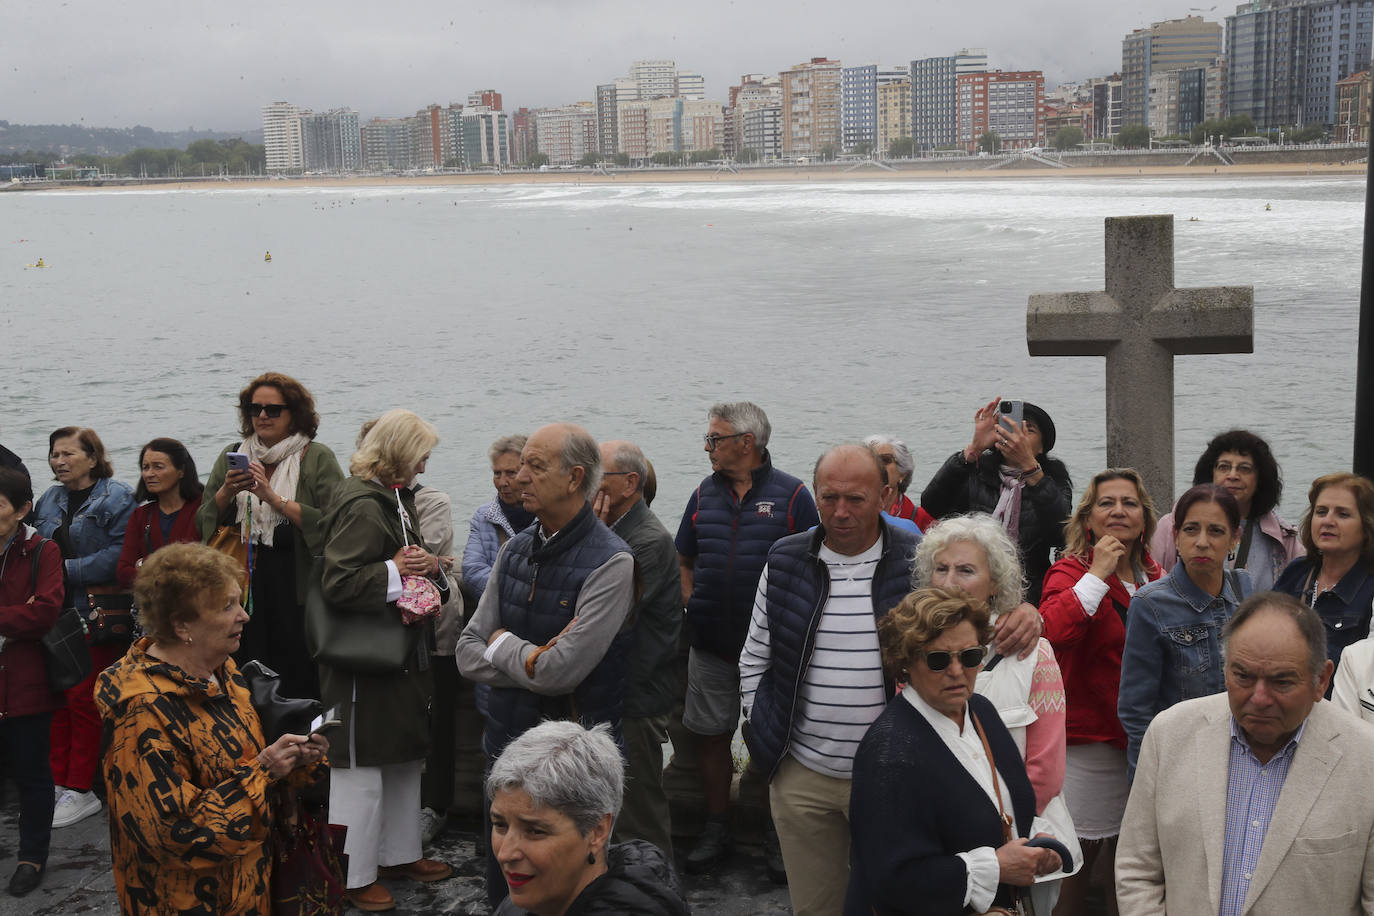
1089,650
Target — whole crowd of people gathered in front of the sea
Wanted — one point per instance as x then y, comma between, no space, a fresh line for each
987,700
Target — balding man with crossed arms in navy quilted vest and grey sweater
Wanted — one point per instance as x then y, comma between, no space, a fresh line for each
550,634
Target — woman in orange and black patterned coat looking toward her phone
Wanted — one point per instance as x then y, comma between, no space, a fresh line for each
186,763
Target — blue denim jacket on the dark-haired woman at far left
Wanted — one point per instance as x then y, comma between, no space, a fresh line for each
97,534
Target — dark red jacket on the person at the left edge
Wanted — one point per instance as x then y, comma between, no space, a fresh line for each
24,674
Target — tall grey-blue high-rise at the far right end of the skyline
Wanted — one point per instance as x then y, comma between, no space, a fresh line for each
1287,57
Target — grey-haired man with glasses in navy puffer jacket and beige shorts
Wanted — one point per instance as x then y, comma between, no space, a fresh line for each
732,521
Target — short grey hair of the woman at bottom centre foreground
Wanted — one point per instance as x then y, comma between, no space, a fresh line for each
564,767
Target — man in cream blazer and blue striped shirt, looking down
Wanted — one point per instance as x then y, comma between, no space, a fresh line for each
1255,803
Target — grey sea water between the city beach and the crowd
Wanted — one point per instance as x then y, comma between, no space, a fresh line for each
842,308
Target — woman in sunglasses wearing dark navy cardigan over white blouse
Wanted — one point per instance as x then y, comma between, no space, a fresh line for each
941,803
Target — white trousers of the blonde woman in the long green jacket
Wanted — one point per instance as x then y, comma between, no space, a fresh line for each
381,807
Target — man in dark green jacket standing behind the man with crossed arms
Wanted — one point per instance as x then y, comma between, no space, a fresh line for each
659,619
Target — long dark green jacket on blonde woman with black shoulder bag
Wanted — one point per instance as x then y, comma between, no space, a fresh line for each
391,716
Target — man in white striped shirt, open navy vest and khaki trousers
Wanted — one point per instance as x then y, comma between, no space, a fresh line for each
811,669
